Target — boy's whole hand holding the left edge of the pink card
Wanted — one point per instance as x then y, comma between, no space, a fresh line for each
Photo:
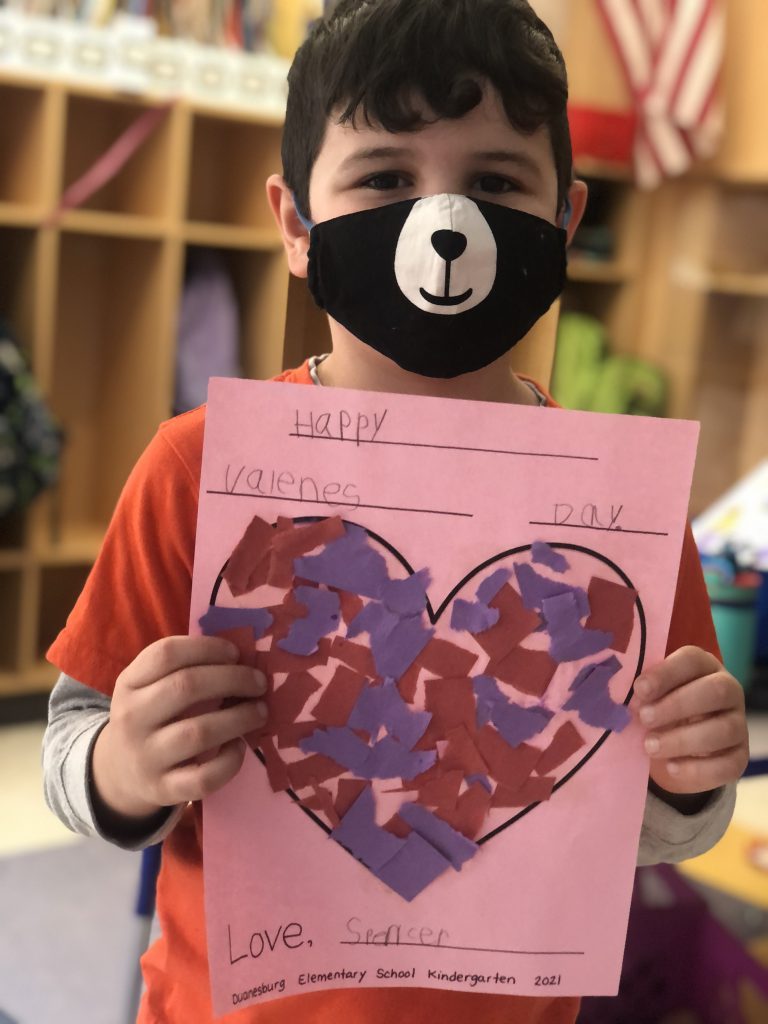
174,735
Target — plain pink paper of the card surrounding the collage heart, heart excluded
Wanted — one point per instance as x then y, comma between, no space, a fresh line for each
450,485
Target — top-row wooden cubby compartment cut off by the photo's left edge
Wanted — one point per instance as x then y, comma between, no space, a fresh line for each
23,145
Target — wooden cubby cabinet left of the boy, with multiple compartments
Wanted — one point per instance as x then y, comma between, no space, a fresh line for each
96,301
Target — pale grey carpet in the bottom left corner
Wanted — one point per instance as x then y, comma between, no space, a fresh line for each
67,934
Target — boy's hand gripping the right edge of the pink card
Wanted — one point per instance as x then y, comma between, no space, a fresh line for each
695,713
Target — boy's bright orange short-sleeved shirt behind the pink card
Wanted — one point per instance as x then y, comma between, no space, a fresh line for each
138,592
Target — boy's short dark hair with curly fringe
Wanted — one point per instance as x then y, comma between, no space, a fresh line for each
374,57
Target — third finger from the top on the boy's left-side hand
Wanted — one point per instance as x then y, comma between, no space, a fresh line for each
186,740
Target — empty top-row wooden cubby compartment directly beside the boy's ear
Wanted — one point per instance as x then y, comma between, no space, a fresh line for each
231,161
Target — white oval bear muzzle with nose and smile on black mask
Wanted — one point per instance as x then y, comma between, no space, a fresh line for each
446,261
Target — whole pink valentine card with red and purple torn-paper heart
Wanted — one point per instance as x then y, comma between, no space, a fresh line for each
451,602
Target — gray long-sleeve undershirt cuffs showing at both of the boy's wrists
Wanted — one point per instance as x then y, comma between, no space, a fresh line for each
77,714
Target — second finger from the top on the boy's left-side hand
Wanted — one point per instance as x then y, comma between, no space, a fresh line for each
178,695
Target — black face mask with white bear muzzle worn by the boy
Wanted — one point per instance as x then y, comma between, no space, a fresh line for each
443,286
